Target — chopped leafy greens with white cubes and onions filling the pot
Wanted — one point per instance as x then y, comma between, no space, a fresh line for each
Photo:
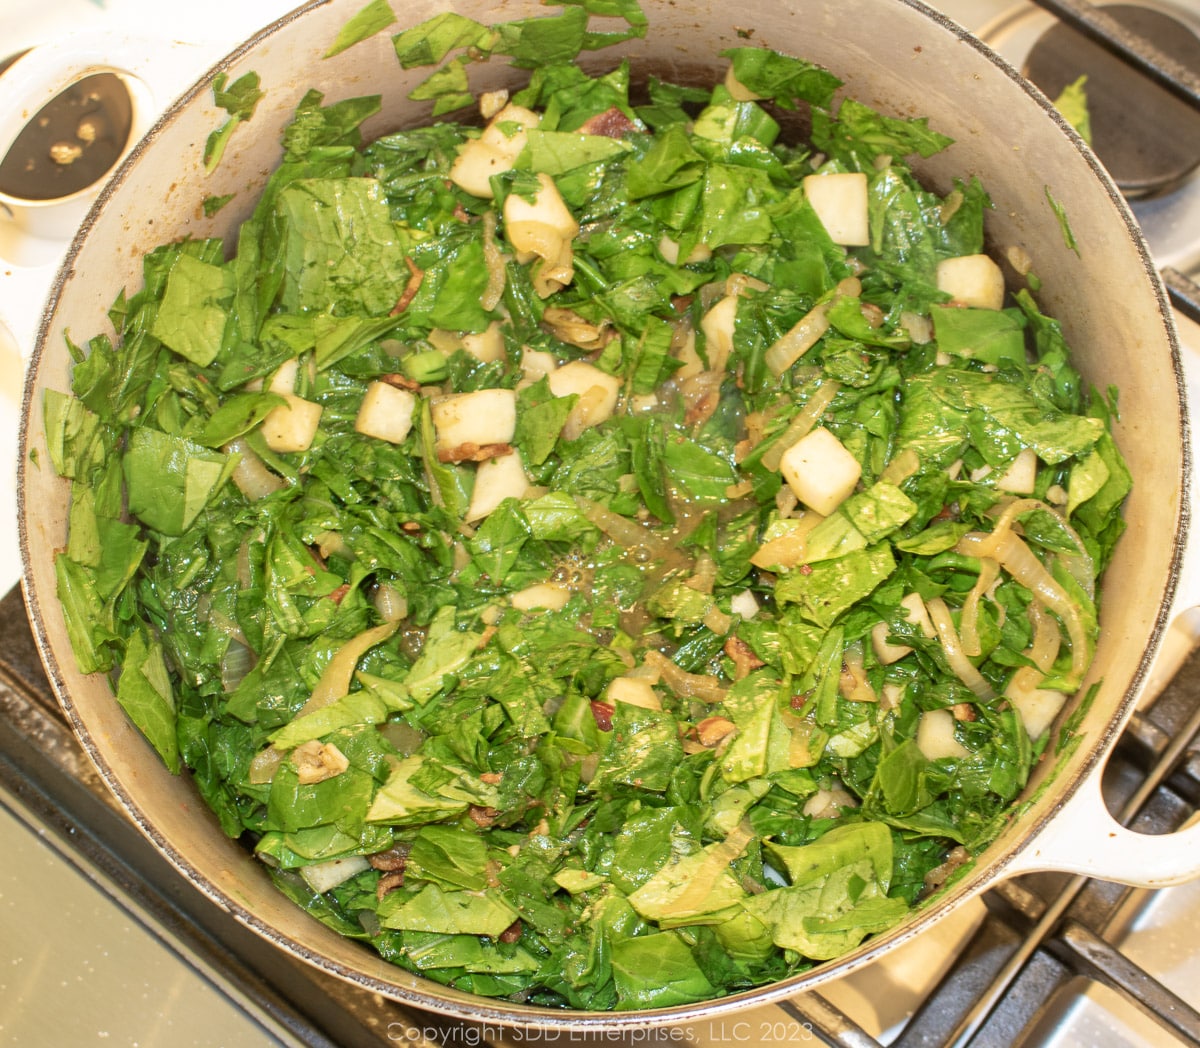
543,630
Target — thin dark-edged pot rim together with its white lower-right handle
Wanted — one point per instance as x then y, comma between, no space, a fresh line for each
1091,843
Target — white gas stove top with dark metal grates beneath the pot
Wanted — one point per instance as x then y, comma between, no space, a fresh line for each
103,941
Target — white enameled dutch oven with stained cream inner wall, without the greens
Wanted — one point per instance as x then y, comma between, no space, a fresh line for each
895,56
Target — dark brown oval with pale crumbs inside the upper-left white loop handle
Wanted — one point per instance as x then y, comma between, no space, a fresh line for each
73,142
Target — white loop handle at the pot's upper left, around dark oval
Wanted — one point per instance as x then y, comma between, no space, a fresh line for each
34,236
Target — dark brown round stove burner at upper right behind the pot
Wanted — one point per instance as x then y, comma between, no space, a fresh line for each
1148,139
